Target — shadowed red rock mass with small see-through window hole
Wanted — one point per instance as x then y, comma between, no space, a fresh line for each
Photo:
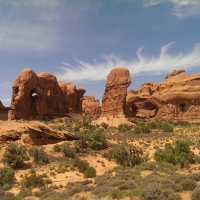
41,95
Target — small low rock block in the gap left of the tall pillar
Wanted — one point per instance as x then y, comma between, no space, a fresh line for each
91,106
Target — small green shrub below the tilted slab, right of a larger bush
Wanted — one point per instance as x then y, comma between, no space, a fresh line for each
39,155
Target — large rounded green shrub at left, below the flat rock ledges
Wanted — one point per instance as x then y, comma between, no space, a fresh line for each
15,155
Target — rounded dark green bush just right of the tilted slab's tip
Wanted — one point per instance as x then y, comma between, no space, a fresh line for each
97,141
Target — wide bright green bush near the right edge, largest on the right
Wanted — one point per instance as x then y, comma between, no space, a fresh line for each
177,154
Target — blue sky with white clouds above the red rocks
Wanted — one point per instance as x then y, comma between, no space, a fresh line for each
82,40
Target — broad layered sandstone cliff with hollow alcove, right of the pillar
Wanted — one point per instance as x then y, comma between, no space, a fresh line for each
177,97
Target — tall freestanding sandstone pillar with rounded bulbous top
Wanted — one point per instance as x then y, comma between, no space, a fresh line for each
114,98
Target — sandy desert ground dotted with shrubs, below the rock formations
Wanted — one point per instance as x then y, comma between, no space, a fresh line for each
150,159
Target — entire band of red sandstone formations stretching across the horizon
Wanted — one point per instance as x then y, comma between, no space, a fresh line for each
36,96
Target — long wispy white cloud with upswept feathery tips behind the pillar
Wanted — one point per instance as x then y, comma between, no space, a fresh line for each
164,63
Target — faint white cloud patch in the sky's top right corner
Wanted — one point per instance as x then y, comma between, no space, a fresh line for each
181,9
